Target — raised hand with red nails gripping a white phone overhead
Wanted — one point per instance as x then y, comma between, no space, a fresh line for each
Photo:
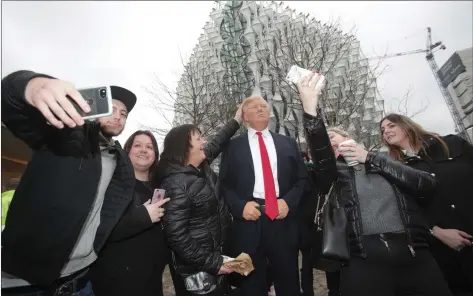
309,93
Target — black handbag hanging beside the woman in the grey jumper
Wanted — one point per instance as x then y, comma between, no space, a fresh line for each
331,220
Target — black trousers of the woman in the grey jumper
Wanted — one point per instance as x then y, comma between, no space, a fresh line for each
391,270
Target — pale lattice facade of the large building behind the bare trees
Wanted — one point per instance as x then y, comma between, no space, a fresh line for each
231,50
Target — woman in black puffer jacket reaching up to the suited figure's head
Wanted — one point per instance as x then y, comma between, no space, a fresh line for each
196,218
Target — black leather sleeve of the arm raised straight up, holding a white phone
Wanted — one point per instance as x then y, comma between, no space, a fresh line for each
325,165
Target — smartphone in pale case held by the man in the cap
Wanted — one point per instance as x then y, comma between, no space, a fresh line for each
99,100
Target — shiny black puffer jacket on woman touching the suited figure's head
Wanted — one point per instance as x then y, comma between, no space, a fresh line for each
196,218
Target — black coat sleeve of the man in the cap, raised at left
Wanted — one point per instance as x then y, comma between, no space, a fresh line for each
22,119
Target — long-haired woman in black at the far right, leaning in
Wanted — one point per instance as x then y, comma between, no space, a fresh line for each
450,212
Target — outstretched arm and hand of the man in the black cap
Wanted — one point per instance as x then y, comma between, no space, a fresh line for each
29,101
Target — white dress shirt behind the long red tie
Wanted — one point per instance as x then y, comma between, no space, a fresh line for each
258,191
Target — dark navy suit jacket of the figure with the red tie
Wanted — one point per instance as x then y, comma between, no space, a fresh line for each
238,179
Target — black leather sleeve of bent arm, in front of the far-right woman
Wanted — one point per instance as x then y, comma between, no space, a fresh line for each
415,182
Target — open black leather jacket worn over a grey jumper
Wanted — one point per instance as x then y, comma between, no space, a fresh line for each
408,184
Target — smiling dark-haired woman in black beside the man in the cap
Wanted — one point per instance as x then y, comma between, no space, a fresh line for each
133,260
